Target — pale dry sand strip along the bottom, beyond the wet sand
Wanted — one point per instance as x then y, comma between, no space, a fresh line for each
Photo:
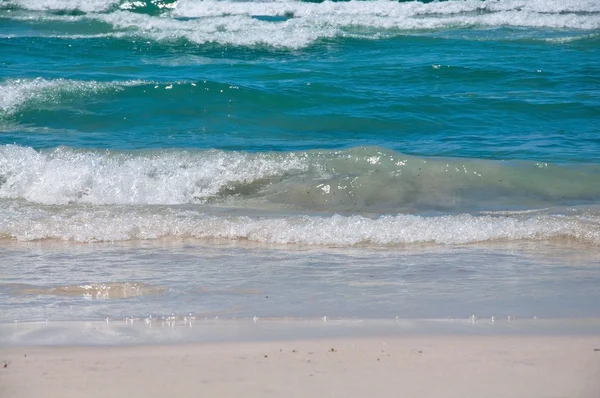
456,366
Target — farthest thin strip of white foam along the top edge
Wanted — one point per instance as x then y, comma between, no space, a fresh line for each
195,8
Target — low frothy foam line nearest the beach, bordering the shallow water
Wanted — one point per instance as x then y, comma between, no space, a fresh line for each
81,224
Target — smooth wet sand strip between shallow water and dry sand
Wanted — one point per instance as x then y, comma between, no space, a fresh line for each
188,330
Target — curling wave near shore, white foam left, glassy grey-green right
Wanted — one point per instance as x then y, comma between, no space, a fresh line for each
359,180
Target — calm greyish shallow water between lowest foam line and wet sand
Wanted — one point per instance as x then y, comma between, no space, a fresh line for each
66,281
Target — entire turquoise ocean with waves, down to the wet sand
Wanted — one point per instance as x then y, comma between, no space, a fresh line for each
348,159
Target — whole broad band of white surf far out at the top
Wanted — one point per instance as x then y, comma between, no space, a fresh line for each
296,24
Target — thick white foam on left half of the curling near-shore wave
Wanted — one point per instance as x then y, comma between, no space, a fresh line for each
66,176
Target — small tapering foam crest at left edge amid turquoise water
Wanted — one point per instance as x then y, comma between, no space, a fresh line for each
17,93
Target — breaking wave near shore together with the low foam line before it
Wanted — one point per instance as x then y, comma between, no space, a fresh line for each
361,196
